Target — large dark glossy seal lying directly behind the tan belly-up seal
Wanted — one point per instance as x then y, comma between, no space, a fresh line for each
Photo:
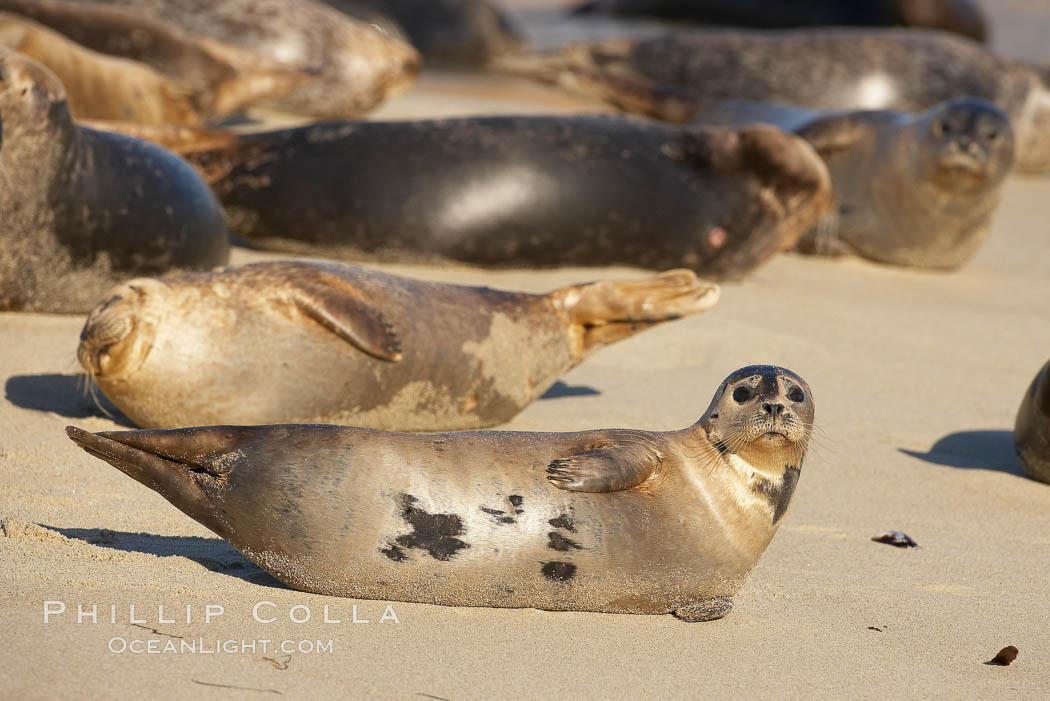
524,192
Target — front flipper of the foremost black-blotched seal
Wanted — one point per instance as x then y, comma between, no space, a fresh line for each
606,468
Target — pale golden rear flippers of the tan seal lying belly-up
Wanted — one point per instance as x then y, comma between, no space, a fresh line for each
614,310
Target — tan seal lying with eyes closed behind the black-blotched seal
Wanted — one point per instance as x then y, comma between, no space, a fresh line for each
326,343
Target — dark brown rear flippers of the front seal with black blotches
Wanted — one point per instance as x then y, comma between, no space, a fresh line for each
185,466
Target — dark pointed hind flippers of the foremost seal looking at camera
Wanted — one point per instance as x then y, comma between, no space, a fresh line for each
184,484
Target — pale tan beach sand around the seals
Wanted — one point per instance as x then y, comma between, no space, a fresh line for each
917,378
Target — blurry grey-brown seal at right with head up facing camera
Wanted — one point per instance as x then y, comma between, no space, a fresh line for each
910,189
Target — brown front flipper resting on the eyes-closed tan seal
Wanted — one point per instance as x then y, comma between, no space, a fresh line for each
342,308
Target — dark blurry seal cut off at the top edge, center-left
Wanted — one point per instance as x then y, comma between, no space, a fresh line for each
448,33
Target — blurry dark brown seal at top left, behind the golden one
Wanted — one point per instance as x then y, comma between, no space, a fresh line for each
218,79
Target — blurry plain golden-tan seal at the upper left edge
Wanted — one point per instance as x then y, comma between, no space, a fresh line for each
100,87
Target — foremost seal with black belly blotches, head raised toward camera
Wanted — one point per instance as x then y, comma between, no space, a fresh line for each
610,521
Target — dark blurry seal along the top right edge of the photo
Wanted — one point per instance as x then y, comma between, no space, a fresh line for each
960,16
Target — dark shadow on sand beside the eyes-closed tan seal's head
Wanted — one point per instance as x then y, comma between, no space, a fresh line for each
64,395
